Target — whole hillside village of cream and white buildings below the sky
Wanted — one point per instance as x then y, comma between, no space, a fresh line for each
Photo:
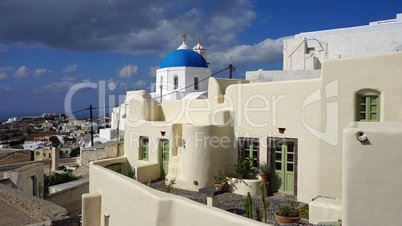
326,129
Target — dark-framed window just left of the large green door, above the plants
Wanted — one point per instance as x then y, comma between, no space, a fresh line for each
249,148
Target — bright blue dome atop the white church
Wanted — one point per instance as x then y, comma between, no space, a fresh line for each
184,58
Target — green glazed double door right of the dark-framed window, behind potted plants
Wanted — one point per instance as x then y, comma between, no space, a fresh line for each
283,161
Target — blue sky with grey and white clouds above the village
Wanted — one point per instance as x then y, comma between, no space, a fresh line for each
48,46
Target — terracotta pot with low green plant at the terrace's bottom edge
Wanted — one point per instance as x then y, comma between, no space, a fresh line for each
288,213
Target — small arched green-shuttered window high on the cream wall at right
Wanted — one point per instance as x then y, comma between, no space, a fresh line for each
368,107
